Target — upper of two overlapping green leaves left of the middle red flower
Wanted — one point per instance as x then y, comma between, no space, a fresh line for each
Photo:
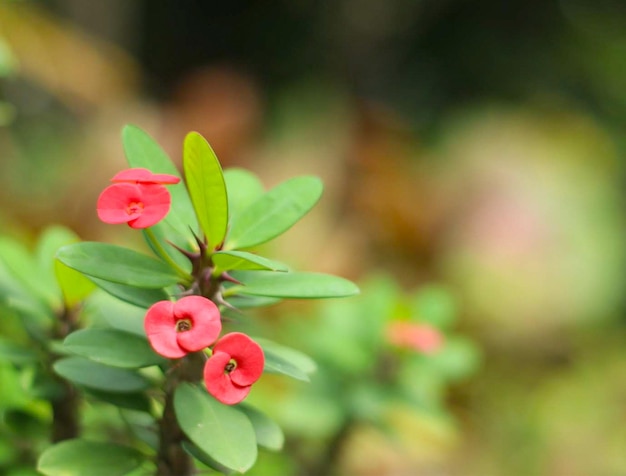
112,347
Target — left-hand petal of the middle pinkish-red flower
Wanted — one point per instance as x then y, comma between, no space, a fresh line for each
160,326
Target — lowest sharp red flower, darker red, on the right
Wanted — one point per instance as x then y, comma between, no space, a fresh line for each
237,362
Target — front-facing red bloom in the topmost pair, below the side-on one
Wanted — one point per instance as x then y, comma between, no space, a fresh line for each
139,205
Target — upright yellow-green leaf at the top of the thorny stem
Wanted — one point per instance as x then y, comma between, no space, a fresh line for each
207,188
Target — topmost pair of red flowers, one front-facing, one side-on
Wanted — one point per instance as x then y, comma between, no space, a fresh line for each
137,197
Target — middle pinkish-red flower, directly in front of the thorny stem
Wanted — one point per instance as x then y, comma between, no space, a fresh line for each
187,325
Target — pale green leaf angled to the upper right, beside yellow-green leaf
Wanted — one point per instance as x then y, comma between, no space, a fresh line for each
275,212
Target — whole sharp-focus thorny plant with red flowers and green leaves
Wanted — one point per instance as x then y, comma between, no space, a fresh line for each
171,341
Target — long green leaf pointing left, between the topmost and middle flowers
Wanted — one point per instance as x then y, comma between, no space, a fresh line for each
117,264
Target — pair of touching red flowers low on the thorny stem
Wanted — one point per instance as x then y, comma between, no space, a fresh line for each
192,324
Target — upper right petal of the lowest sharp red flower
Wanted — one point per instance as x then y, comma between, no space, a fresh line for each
246,353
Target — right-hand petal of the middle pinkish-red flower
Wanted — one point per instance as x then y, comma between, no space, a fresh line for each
206,324
